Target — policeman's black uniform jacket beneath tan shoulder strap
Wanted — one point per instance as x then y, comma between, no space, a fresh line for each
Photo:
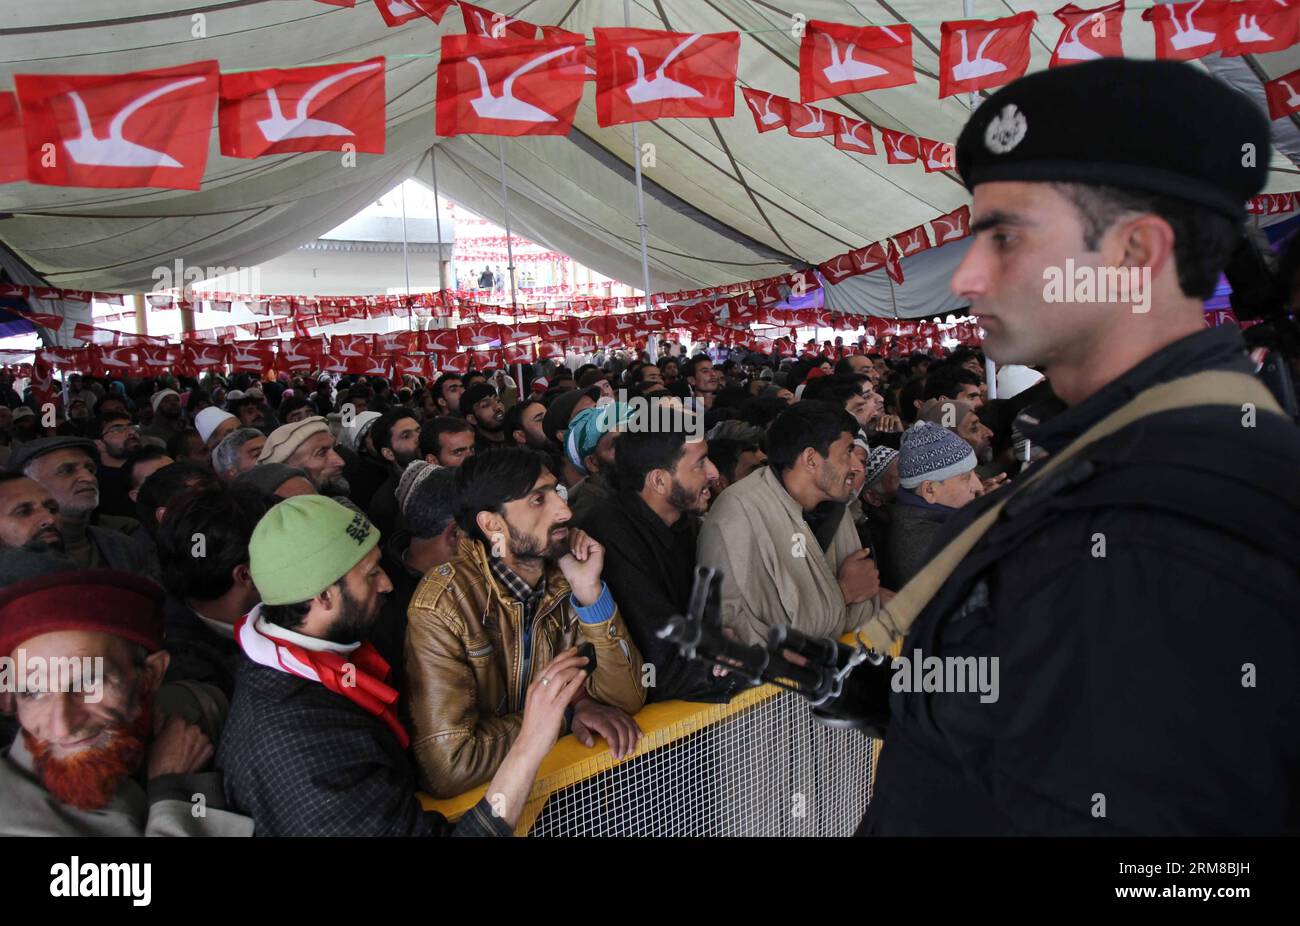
1143,612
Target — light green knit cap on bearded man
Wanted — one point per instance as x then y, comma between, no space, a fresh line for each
306,544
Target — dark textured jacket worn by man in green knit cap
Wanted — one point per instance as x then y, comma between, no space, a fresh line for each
304,761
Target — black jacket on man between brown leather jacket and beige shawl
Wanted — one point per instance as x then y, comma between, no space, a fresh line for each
651,569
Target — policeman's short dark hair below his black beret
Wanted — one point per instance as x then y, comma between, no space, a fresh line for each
1204,240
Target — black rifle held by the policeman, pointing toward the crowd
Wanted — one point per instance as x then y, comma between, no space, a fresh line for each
848,686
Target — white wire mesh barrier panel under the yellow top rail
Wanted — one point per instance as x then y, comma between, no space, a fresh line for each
761,768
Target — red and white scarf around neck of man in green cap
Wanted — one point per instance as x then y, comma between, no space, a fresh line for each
357,672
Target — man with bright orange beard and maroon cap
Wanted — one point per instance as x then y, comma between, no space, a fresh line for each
119,754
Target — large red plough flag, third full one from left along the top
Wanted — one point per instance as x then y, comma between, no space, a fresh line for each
508,86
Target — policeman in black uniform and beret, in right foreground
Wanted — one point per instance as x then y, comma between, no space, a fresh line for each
1125,618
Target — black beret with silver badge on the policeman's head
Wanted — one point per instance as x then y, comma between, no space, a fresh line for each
1155,127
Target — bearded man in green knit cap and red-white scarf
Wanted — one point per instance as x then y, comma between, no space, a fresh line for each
314,745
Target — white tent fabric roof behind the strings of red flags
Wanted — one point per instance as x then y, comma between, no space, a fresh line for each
723,204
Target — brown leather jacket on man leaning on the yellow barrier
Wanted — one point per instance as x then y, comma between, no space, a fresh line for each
466,664
